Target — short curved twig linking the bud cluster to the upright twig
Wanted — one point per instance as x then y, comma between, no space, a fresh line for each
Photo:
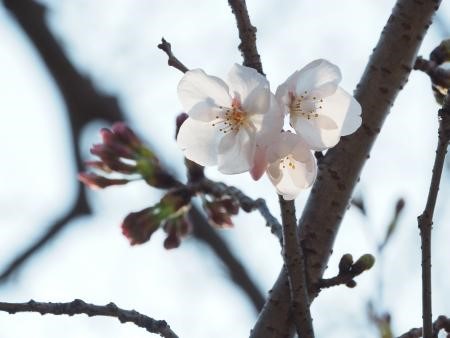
247,204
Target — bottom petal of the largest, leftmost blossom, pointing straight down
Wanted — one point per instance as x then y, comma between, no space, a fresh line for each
236,152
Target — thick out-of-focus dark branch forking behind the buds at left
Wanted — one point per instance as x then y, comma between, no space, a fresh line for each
85,104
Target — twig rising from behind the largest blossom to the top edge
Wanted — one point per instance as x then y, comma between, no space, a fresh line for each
247,35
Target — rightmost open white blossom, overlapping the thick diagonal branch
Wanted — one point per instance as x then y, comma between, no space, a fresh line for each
319,110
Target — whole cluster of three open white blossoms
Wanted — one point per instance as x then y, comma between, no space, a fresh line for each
238,125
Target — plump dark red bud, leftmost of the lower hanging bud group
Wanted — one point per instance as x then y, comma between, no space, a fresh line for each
139,226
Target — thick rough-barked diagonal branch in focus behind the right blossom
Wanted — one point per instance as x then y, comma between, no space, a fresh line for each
383,78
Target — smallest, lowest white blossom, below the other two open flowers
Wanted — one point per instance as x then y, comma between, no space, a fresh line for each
292,165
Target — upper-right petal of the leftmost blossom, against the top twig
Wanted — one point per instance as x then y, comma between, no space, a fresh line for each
244,80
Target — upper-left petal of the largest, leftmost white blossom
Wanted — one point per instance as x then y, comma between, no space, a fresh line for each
196,86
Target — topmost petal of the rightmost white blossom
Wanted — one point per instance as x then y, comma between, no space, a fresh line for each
319,77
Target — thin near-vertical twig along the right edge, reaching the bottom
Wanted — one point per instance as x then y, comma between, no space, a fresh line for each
425,220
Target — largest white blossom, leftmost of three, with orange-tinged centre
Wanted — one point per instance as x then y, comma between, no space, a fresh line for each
229,125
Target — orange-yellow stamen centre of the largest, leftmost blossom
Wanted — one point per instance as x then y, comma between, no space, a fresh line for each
231,119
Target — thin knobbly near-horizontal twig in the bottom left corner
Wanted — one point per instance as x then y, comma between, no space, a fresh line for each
80,307
